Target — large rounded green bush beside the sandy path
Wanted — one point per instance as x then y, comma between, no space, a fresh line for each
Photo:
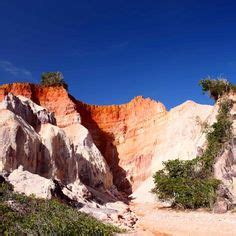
183,190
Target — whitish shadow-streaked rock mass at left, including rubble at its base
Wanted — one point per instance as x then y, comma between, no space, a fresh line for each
37,157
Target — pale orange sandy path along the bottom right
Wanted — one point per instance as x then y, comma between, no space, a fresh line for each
157,221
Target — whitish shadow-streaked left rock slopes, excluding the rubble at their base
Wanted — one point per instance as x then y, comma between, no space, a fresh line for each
29,138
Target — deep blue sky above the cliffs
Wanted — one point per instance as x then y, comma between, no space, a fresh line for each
110,51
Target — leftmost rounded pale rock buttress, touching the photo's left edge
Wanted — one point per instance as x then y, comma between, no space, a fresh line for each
19,143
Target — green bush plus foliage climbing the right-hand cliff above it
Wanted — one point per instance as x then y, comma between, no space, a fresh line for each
190,184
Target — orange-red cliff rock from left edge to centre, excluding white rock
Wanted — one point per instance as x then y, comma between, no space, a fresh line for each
125,134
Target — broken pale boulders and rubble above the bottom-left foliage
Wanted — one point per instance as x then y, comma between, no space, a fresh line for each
78,195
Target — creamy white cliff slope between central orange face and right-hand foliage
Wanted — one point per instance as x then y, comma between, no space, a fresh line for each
181,137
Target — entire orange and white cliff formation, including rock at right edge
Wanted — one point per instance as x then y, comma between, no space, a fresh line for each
79,151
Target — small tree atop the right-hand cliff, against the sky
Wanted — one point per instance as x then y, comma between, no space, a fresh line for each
215,87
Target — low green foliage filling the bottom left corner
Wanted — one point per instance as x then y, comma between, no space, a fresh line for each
21,215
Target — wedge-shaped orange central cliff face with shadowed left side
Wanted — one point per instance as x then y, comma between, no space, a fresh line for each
126,135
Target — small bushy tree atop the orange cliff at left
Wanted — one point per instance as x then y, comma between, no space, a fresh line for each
53,79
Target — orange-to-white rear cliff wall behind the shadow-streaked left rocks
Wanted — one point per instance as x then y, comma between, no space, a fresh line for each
134,138
